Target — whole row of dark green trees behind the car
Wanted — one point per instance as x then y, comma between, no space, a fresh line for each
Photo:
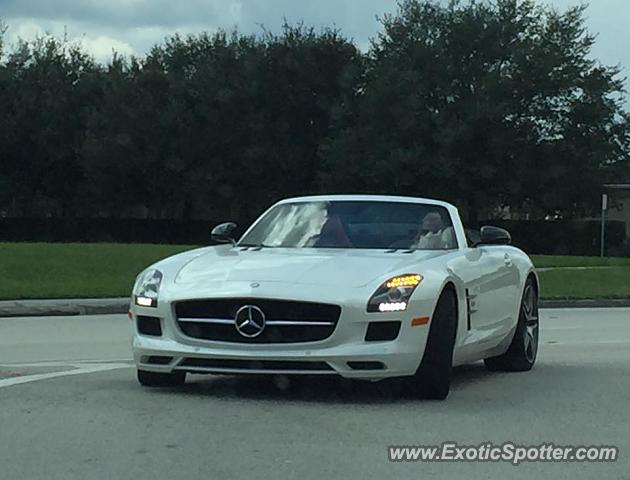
490,105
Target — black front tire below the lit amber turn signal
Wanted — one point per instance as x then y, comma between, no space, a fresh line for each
432,380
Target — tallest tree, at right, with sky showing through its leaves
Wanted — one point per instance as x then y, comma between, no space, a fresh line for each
486,104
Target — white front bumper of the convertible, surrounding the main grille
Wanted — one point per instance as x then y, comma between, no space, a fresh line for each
399,357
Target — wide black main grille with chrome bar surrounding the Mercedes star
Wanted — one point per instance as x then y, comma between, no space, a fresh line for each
286,321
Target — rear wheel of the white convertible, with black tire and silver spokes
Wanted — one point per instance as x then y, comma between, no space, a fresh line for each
521,355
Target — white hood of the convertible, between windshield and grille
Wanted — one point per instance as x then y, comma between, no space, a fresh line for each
332,267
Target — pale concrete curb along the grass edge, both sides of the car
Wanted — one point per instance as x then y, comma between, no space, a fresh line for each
105,306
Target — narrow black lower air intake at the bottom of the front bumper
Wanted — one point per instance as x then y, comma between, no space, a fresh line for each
244,365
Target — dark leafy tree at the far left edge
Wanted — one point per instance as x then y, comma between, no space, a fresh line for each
47,86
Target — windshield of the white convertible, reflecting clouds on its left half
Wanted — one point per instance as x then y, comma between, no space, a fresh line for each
354,224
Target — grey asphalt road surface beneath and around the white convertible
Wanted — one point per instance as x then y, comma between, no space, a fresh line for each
70,408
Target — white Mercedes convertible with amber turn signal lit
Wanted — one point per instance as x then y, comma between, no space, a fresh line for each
361,286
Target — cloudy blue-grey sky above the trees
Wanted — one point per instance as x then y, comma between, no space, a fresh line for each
133,26
